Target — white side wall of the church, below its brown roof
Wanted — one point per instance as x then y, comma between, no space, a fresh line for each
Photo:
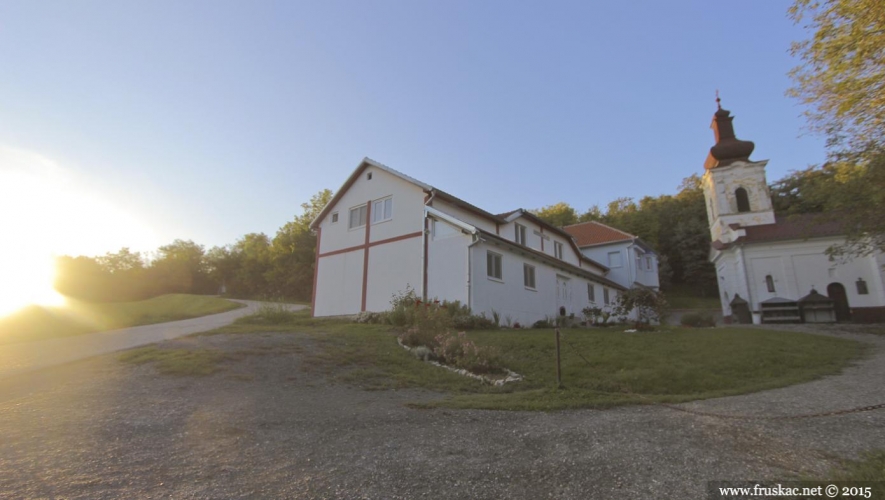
795,267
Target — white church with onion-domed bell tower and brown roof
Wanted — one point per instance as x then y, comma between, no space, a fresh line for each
765,262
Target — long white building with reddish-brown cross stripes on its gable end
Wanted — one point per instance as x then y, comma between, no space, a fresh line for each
384,231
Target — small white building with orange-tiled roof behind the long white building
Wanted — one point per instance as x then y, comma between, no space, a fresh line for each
631,261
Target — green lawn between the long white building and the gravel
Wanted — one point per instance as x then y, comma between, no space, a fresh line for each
675,365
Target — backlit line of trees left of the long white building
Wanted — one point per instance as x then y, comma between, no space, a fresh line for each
256,265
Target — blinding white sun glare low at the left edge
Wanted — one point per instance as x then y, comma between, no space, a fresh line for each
45,212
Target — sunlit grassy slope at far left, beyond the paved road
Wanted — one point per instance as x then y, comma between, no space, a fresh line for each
77,317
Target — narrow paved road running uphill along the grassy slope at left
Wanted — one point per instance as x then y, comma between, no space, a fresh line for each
30,356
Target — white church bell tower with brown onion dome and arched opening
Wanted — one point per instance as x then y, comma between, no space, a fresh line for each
735,187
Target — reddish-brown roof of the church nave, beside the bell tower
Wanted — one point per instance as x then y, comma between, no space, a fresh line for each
785,228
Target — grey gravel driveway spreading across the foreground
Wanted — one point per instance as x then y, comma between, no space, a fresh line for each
271,425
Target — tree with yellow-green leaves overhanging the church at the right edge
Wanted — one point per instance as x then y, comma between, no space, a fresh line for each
842,79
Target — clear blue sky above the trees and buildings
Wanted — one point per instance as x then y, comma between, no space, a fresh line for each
208,120
